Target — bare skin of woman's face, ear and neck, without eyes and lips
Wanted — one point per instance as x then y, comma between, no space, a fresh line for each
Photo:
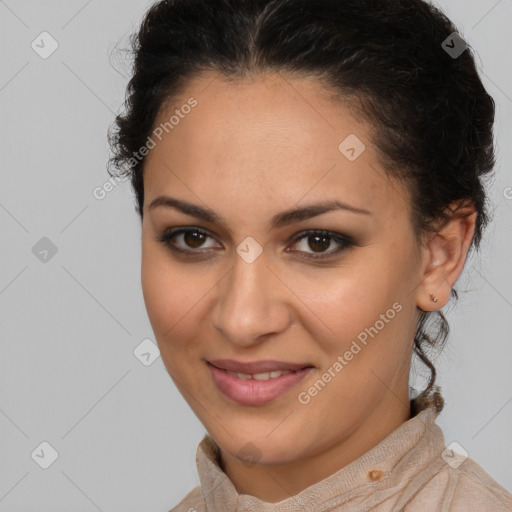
249,150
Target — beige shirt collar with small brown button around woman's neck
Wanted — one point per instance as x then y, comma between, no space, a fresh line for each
414,442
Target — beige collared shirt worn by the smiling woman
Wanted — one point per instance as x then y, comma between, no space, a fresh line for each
410,470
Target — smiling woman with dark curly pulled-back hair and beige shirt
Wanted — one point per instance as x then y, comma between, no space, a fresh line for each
309,176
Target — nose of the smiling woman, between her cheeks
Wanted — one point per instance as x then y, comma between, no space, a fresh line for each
251,303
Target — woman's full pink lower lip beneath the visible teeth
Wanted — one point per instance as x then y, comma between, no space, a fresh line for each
252,391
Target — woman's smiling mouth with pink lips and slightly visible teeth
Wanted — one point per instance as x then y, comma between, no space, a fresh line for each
257,382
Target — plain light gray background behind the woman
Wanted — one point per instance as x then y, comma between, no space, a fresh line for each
125,438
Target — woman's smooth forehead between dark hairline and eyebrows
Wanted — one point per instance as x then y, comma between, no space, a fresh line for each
268,138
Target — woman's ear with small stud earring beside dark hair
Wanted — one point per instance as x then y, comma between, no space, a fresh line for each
444,255
